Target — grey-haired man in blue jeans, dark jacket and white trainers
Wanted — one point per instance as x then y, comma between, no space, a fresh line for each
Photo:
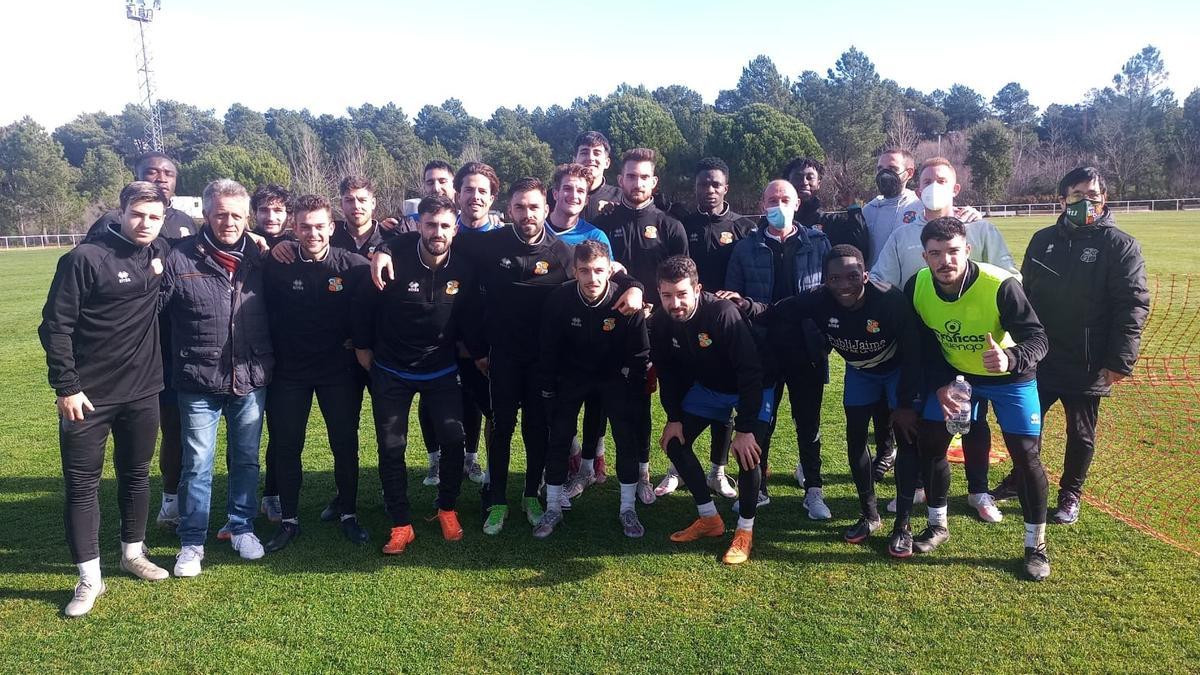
213,295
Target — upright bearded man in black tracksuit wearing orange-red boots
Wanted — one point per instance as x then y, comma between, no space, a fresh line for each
406,336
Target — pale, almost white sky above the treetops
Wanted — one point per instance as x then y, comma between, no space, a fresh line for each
79,56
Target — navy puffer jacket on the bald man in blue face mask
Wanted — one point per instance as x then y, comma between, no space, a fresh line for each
752,274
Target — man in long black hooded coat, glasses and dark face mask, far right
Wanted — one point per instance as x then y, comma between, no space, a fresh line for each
1088,282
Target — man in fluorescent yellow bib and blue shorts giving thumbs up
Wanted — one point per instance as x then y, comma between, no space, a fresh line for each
980,325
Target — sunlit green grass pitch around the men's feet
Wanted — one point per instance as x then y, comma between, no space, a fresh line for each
587,600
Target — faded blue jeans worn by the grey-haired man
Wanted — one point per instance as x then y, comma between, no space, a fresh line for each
200,416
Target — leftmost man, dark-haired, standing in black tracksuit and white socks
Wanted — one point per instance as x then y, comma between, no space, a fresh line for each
100,331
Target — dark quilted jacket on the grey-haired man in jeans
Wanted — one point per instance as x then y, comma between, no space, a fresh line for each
221,342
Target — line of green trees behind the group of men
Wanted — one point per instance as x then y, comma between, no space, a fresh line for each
1135,130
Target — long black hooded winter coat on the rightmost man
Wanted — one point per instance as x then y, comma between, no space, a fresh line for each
1089,288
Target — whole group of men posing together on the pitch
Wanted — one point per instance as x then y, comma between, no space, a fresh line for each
593,297
